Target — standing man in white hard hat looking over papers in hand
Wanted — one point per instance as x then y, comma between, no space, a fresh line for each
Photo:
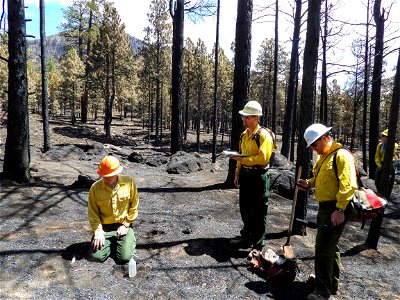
256,145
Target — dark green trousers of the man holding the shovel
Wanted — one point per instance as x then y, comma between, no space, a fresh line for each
327,254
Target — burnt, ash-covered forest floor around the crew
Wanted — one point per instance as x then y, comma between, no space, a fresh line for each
183,231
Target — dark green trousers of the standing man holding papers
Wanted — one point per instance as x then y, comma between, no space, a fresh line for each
253,202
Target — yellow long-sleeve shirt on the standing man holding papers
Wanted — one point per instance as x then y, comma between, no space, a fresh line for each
256,155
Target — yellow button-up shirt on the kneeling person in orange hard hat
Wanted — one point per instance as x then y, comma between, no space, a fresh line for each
107,206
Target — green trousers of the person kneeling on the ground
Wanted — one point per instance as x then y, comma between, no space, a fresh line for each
121,249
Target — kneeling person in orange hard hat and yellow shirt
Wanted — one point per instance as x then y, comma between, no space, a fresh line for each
112,208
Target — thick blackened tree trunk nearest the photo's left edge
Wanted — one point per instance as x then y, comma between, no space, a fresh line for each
17,153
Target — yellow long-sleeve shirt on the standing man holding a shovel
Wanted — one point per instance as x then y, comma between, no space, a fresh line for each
326,183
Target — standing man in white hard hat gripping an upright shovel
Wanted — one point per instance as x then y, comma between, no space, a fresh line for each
333,192
